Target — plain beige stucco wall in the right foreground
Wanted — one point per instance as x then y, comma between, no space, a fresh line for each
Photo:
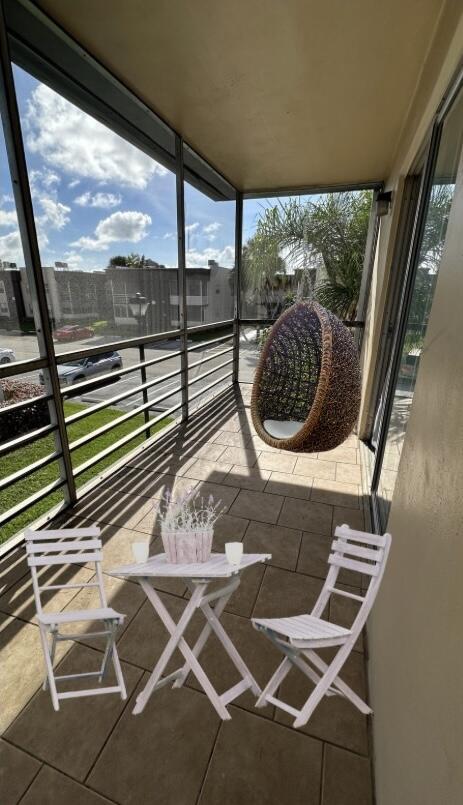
415,634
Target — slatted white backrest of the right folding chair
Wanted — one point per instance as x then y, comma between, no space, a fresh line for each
361,552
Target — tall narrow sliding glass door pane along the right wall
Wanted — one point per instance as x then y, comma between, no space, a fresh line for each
430,255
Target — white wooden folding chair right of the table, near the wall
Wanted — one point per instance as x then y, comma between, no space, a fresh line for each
298,637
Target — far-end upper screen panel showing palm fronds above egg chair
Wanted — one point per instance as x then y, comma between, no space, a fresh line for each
303,246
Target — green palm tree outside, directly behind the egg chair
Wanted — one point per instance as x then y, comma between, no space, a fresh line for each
331,232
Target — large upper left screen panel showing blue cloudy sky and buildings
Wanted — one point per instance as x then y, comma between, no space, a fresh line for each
106,220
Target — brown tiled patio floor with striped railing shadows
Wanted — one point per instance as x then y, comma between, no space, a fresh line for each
178,752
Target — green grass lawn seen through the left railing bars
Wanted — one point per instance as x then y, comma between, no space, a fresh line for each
42,447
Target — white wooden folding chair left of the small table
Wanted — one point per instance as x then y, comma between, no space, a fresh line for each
73,546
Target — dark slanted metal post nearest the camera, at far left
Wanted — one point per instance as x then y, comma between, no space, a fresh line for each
22,195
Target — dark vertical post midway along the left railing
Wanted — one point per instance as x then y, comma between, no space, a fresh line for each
182,272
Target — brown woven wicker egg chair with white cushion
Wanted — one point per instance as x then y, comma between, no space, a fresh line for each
306,392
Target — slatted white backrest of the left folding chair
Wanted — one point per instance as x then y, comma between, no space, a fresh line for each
65,546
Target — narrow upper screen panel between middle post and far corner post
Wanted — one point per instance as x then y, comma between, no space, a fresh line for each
210,257
